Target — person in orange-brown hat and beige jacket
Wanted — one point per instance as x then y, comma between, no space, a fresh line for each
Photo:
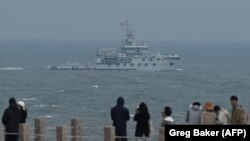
208,116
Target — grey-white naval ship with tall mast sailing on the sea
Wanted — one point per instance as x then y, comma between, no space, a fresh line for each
130,56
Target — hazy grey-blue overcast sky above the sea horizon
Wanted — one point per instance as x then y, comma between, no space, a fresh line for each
178,20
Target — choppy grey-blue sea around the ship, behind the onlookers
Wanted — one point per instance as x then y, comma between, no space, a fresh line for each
208,71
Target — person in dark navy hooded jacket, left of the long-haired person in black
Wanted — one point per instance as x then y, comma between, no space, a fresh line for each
120,116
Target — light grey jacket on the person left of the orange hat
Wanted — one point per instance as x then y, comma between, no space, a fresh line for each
193,116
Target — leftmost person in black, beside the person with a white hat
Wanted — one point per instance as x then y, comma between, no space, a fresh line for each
11,120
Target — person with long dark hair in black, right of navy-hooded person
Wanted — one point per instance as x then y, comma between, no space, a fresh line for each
142,117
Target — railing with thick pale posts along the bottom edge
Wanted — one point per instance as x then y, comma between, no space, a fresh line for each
61,133
